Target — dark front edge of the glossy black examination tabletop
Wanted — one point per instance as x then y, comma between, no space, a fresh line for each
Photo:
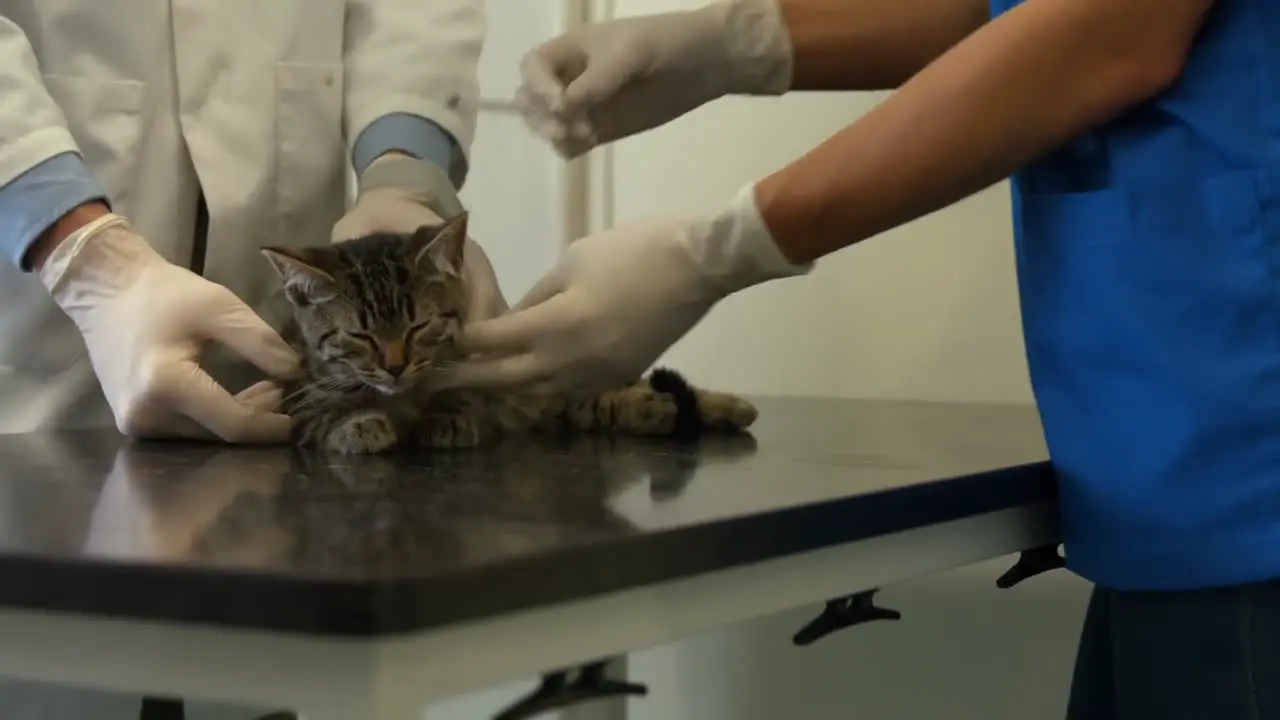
377,608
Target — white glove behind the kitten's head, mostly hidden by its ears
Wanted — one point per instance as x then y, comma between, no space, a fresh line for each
397,195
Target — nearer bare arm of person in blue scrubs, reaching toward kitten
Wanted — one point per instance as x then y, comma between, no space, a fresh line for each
1027,83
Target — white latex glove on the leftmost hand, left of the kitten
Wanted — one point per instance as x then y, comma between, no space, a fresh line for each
145,322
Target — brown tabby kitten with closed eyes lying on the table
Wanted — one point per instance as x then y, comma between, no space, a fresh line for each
376,318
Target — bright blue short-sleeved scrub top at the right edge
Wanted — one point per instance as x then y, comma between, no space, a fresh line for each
1149,267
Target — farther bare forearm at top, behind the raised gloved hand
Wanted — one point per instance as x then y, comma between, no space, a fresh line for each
874,44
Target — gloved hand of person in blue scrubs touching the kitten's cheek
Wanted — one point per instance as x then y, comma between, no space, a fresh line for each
620,299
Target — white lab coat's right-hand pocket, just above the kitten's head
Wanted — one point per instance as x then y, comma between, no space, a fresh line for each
310,151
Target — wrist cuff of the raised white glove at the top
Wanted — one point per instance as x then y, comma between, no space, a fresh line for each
757,47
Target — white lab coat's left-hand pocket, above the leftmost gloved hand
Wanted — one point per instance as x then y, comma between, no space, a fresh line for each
106,119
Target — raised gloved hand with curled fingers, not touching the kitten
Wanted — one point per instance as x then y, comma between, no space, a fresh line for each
607,81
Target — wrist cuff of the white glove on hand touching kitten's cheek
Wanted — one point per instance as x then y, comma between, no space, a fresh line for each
735,249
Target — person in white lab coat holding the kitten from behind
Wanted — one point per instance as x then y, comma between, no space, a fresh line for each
148,152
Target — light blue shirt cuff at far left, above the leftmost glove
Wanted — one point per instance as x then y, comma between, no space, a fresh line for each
31,203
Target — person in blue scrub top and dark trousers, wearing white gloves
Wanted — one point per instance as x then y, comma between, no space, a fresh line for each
1144,142
